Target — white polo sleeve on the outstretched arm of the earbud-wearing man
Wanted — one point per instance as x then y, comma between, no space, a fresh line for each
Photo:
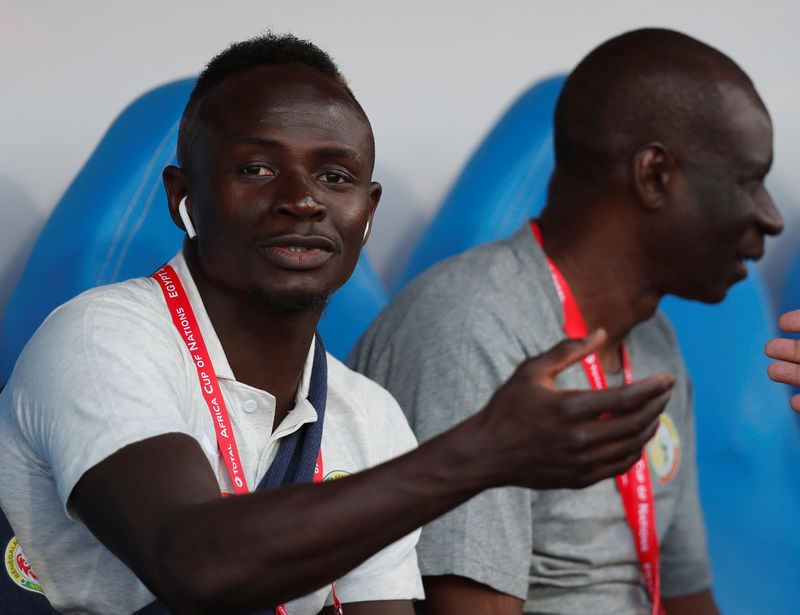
101,373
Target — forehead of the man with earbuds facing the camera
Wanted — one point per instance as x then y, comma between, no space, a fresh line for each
290,102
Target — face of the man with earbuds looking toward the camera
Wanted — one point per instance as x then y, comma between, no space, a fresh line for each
280,185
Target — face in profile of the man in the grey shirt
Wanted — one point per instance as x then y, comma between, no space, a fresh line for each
723,207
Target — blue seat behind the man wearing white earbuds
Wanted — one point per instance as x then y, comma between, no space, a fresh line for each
113,223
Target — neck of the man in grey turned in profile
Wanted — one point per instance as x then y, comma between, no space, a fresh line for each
604,273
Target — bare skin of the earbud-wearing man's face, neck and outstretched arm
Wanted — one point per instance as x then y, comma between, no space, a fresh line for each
284,162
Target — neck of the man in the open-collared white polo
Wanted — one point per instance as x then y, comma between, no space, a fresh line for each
266,349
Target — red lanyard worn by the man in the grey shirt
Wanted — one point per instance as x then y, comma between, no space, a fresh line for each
634,485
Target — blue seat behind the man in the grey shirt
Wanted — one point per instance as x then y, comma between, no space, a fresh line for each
748,440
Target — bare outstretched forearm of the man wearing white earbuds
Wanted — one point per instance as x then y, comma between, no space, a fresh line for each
280,544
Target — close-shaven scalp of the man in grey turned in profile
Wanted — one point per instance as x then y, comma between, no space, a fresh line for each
649,85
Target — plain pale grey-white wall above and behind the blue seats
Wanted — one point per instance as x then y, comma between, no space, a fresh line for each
432,76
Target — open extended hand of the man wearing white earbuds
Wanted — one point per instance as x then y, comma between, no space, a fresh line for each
548,438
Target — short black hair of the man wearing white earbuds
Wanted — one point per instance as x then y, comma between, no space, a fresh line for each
268,48
